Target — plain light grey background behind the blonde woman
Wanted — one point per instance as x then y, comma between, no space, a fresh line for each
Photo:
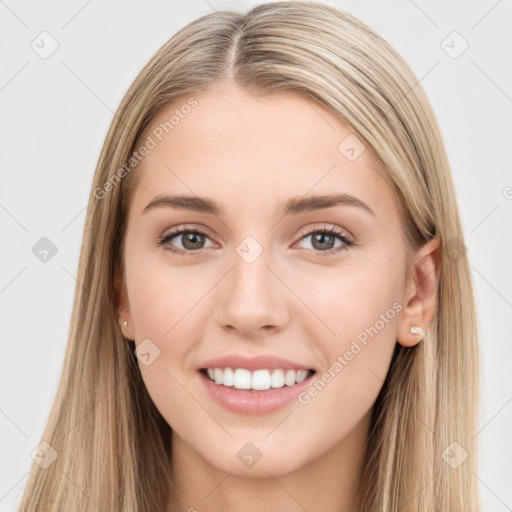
55,113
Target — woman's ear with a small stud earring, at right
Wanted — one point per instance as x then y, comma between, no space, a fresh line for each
421,293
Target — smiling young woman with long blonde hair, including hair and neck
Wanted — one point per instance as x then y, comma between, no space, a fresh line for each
274,309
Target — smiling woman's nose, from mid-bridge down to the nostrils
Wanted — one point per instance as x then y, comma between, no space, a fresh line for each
252,299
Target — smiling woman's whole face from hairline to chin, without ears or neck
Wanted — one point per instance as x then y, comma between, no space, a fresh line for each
317,286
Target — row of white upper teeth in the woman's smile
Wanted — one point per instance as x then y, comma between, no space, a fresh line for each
259,380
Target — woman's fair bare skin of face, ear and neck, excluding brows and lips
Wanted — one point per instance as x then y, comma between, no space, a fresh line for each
250,154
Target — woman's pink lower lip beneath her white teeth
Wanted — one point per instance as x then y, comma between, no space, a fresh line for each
254,402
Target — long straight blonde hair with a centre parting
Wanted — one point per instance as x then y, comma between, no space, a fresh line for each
112,445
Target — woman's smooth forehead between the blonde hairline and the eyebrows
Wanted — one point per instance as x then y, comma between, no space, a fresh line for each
255,150
